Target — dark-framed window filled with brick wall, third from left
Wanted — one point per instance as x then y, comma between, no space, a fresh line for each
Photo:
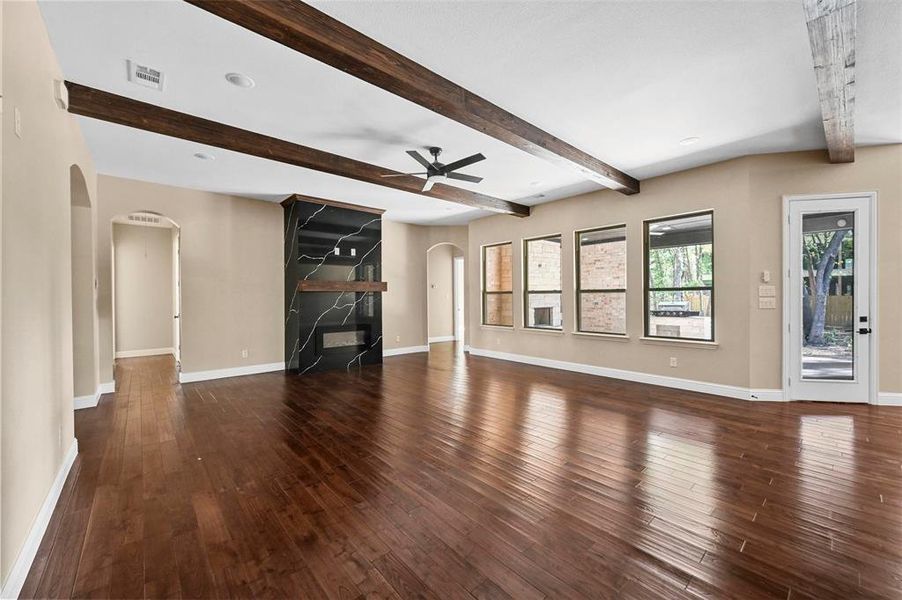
601,280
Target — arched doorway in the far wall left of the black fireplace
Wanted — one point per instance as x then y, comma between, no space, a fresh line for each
146,286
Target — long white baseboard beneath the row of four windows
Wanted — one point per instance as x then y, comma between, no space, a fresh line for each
704,387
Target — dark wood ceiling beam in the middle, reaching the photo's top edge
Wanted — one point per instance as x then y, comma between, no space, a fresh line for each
309,31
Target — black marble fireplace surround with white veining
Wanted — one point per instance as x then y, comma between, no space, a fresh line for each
332,245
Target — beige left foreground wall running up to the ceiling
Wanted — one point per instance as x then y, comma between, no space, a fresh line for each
37,385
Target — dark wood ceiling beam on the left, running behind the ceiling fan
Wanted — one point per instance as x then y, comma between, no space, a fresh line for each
97,104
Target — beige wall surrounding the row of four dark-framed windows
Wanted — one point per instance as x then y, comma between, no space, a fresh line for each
723,187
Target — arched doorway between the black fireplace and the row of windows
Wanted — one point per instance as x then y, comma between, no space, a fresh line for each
445,279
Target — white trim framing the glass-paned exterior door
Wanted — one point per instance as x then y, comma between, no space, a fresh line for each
873,345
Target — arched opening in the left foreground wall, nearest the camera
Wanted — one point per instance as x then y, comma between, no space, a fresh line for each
81,223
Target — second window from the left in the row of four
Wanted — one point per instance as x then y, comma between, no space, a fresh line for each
542,277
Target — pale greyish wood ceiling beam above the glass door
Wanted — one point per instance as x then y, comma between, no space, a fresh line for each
831,32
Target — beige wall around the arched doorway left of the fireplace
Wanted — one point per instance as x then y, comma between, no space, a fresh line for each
231,264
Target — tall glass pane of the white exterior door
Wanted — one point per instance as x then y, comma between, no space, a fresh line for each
828,301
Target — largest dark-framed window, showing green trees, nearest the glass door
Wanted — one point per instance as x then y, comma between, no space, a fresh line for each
679,277
